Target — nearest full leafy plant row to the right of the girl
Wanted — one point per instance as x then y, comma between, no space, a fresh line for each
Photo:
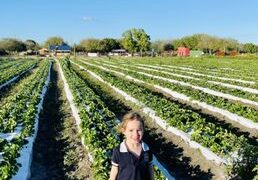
219,140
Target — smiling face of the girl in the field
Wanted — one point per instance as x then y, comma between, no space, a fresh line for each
133,131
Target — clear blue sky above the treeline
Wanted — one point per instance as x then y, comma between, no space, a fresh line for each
75,20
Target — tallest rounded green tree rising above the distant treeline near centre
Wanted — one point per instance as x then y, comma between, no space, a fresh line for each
136,40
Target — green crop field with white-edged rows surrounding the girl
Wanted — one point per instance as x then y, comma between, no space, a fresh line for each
201,114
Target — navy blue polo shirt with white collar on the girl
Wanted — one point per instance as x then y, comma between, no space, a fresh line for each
129,166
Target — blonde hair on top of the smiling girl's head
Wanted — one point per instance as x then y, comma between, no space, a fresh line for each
131,116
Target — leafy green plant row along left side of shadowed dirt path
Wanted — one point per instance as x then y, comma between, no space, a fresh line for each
17,115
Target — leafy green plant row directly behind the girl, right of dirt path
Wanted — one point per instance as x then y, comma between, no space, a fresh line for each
97,122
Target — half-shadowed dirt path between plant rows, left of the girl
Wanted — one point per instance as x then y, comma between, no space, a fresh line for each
58,152
